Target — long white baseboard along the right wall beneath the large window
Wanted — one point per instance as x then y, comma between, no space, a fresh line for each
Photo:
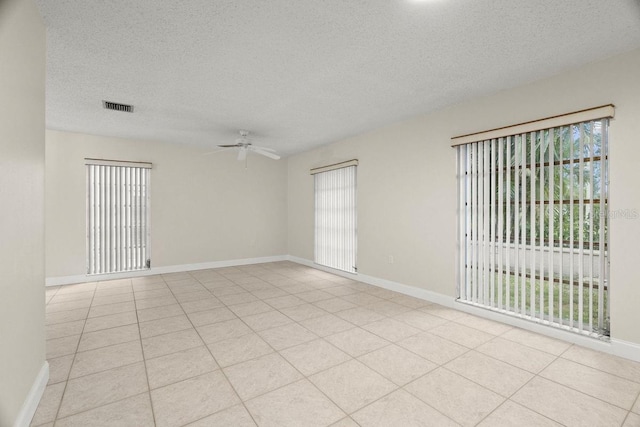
621,348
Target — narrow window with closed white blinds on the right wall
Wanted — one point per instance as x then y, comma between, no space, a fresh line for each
335,216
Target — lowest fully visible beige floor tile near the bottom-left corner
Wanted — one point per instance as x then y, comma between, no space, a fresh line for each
105,387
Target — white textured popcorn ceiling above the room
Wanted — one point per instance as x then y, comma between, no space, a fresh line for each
303,73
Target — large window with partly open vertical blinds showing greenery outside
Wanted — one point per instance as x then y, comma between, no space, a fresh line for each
533,234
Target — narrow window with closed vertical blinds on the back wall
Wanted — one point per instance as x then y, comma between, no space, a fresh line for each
117,216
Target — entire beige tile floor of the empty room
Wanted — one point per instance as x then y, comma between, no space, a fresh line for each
286,345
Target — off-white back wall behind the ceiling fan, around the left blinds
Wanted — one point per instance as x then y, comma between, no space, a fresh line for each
203,208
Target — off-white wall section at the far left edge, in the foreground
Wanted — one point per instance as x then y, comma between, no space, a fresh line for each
22,73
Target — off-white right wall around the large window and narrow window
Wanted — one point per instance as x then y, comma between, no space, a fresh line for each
407,182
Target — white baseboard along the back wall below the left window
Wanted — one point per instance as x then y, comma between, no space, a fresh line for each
82,278
